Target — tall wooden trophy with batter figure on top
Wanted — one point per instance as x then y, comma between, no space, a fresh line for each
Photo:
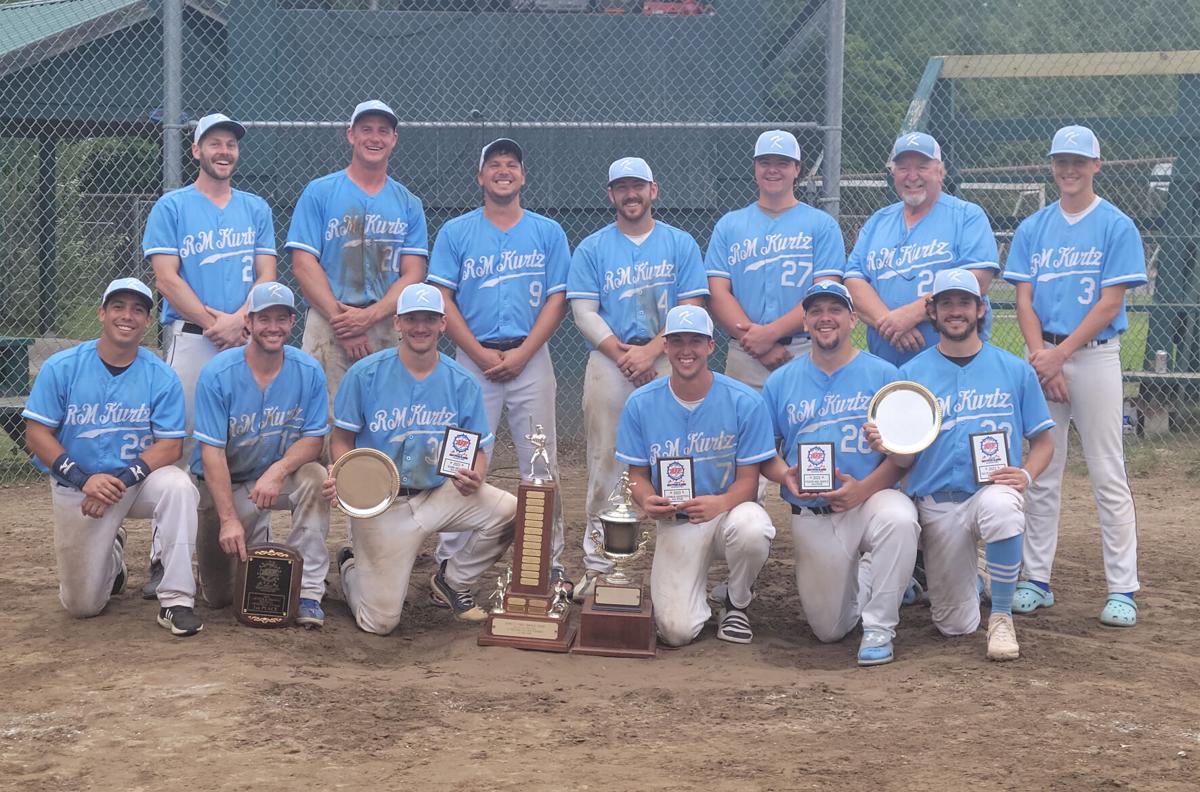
530,611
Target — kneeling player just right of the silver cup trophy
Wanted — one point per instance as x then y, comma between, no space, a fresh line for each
723,428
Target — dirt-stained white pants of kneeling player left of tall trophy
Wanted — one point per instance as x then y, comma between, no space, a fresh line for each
376,580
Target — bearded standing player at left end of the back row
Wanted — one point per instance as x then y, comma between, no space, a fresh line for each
208,245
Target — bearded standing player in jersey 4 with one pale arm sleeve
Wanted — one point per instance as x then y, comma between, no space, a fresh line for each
625,279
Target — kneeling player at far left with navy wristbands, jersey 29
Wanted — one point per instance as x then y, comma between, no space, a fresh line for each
106,421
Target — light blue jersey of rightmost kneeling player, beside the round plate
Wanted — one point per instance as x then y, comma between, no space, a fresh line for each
997,392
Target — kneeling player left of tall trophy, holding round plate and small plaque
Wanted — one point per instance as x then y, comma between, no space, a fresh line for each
400,403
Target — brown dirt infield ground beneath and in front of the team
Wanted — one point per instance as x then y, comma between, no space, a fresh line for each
116,704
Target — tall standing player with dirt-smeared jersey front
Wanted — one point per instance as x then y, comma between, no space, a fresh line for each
358,238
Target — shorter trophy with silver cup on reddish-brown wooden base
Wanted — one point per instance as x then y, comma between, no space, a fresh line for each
617,620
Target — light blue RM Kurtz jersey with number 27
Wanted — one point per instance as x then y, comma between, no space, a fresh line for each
771,262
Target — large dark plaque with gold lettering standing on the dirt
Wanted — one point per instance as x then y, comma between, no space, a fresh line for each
267,586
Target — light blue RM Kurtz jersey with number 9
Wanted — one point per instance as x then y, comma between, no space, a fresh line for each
501,279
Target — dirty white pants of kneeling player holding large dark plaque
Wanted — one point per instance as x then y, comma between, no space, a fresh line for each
310,529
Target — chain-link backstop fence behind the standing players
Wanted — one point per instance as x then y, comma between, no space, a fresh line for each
98,97
